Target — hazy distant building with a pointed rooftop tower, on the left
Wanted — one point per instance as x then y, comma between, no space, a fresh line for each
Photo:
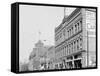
38,57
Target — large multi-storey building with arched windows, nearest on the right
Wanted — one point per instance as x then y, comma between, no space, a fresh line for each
75,44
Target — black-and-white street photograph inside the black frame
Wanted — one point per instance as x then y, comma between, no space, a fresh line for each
52,38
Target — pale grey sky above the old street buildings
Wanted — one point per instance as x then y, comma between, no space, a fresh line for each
35,19
